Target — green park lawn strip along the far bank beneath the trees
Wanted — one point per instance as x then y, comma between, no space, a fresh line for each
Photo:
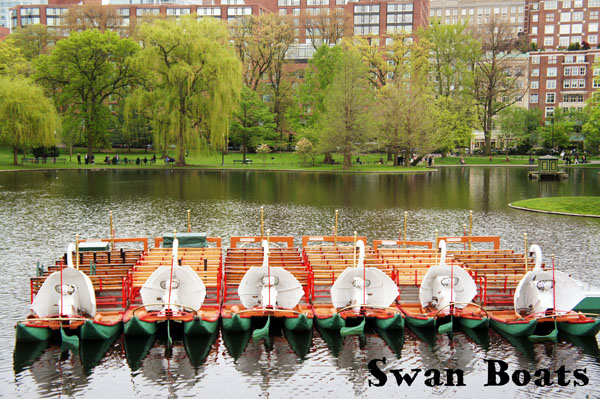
272,161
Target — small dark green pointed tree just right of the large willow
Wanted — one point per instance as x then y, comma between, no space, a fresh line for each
252,121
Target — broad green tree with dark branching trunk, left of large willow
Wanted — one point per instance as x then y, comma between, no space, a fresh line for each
84,72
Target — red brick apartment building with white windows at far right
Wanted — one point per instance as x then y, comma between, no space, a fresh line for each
559,77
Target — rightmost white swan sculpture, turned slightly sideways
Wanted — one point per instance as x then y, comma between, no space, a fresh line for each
541,290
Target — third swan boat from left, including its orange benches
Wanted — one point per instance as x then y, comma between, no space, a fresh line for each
265,291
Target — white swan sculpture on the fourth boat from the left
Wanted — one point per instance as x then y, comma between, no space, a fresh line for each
360,286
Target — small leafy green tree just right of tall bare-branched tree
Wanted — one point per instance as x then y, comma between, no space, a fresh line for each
521,124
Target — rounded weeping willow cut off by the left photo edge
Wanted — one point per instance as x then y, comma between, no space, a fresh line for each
29,119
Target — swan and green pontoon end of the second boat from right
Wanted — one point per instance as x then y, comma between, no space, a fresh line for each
446,292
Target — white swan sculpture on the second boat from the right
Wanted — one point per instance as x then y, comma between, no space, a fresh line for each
443,284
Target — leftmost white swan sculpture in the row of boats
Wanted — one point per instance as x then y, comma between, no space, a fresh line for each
65,293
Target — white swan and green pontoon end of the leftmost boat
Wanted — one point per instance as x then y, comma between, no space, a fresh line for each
66,303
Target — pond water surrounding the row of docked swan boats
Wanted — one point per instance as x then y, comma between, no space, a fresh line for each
40,212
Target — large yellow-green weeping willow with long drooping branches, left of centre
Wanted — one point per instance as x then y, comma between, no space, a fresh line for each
193,82
